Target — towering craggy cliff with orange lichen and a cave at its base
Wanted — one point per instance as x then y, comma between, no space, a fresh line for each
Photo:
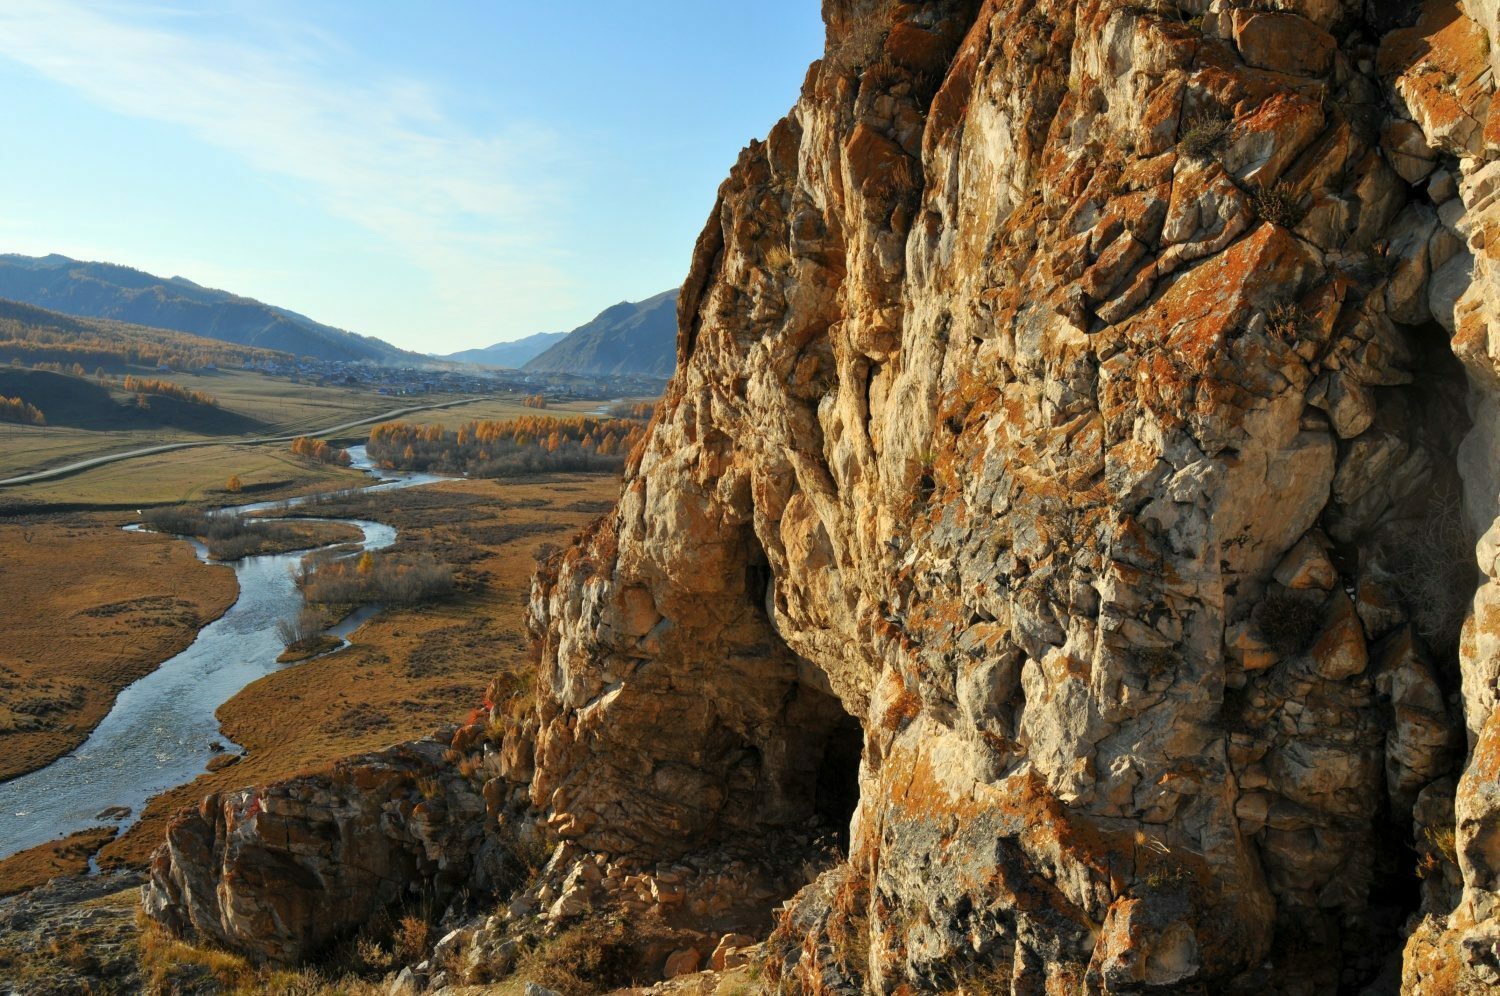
1081,485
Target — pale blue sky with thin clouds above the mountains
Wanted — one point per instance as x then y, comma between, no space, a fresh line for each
442,175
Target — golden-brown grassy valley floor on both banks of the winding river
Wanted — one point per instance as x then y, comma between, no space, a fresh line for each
95,608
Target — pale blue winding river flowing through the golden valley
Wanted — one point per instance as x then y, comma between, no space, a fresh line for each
158,736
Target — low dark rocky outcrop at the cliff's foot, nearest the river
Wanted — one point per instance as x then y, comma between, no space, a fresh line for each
283,871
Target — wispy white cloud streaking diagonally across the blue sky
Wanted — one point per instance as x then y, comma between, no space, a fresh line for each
379,151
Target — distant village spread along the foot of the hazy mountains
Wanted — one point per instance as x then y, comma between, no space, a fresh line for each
401,382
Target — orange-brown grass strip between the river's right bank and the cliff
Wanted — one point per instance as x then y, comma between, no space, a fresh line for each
410,670
